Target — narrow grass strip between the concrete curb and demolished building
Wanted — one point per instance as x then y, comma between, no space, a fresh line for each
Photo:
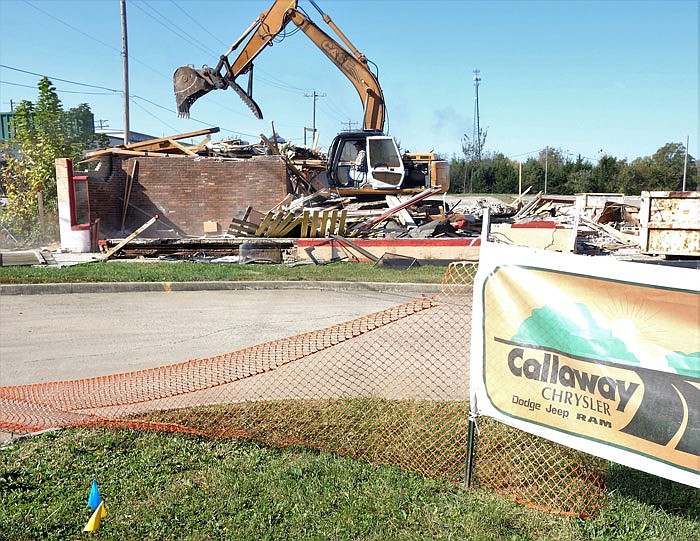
121,271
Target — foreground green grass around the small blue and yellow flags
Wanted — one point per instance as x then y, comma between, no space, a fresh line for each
167,486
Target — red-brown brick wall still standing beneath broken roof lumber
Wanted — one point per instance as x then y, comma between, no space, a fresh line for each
185,192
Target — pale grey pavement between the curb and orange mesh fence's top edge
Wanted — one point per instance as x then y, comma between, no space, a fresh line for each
50,337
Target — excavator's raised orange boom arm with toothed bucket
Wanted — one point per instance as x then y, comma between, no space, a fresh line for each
191,84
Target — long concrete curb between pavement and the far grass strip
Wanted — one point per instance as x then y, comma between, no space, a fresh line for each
122,287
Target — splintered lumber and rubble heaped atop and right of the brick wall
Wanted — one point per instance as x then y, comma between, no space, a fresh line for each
594,224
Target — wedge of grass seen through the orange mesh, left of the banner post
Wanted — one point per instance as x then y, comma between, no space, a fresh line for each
421,435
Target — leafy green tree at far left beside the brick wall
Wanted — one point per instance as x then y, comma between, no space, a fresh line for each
41,136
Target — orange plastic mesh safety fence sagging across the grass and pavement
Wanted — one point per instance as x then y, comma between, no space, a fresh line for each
389,388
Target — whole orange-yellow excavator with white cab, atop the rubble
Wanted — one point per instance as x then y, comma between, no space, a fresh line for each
358,161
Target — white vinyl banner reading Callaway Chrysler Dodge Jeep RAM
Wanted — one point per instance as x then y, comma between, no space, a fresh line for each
596,354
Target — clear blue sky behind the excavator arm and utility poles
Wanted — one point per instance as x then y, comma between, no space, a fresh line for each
587,77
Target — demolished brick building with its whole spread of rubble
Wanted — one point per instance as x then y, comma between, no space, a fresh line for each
163,198
